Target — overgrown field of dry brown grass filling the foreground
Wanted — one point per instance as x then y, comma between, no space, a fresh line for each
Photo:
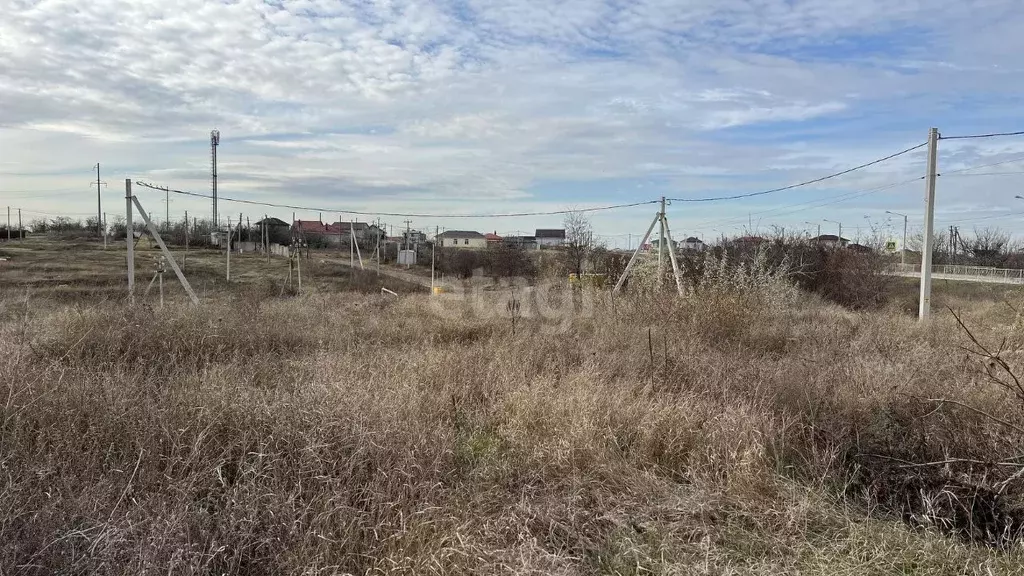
745,430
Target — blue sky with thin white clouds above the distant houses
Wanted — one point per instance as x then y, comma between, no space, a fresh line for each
486,107
